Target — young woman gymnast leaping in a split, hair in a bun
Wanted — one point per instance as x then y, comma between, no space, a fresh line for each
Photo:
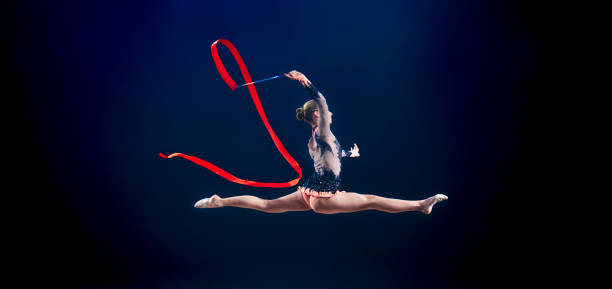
320,191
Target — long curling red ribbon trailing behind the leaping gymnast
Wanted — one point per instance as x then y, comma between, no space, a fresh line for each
232,84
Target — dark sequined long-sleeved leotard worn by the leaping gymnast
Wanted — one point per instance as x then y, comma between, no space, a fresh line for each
326,154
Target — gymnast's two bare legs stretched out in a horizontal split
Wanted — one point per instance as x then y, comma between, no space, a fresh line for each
341,203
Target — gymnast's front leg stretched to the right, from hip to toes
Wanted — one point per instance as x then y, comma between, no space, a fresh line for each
353,202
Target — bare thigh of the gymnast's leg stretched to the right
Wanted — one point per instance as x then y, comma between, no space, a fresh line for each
341,203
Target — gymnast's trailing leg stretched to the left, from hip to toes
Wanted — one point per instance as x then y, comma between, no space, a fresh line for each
290,202
